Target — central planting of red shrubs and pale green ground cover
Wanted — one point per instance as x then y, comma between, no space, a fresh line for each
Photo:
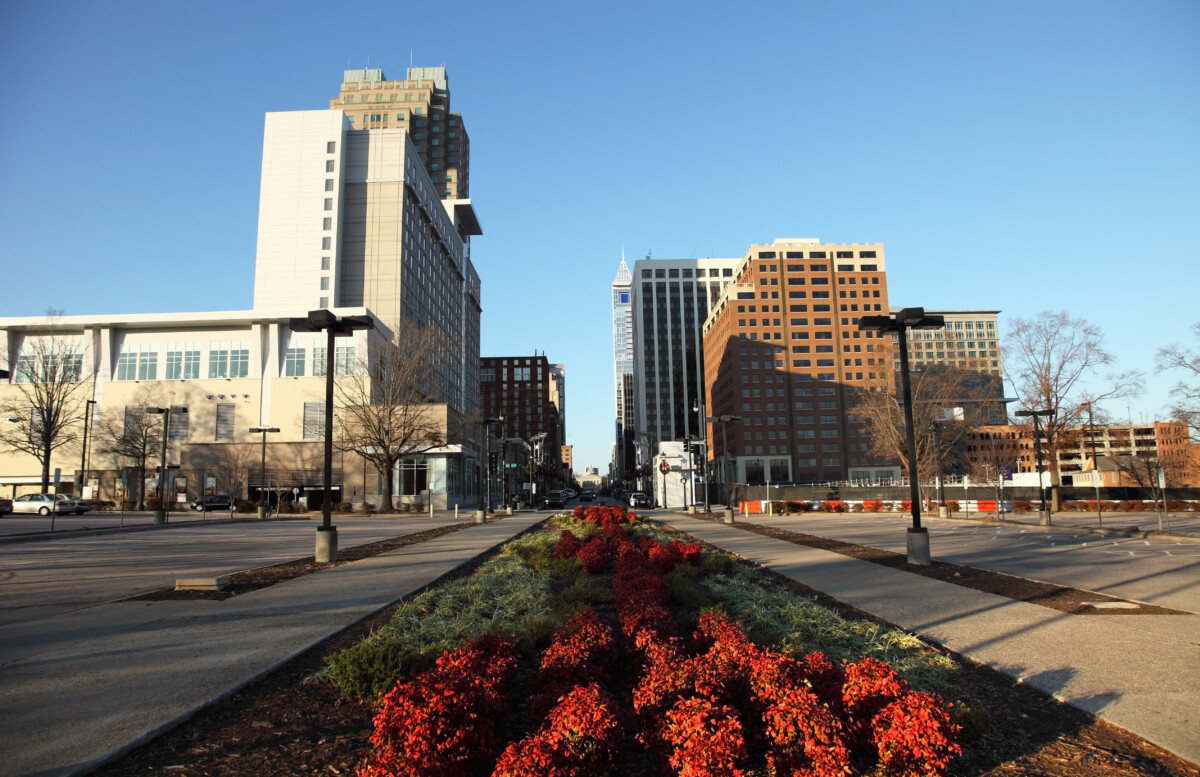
602,646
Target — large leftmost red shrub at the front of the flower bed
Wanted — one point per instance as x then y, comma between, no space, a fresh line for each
440,724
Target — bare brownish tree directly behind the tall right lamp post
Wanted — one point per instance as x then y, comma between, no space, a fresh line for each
940,441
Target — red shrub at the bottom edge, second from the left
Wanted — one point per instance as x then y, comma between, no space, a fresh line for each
579,739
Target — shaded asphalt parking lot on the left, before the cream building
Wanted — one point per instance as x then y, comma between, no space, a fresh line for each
43,579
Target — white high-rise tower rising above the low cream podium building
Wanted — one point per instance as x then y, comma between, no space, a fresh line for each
351,219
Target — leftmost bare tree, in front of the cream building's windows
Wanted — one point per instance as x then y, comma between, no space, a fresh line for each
47,411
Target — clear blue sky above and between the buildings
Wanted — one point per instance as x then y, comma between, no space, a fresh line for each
1021,155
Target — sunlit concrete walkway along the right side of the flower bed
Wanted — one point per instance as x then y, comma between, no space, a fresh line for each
1138,672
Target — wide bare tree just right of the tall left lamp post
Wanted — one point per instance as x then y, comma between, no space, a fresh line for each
385,409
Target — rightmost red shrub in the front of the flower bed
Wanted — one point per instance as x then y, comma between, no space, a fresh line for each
916,737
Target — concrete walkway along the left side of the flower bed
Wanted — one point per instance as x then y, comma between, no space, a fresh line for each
82,688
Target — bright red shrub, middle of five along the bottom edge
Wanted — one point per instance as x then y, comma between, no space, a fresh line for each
706,740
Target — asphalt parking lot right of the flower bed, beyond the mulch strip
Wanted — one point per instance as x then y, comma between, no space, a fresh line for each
1162,571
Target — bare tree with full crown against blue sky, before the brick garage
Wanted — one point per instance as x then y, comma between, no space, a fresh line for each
1048,360
